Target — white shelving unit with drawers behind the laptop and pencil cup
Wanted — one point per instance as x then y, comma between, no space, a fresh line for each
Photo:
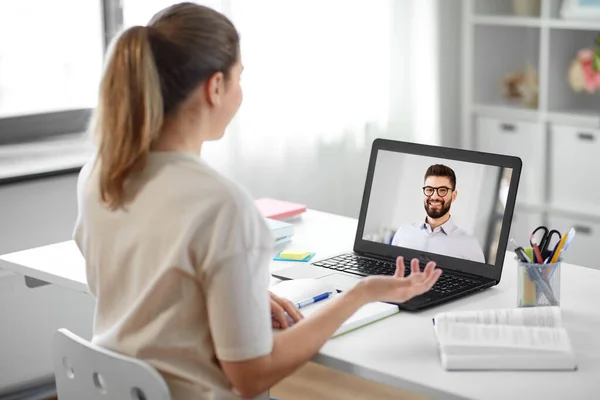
559,138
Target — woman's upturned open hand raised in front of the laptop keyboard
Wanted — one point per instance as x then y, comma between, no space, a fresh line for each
400,288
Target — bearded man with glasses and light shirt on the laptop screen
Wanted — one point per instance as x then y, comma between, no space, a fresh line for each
438,233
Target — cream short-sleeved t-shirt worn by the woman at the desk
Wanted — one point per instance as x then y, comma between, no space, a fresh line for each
181,276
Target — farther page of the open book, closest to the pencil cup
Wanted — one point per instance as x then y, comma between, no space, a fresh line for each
533,316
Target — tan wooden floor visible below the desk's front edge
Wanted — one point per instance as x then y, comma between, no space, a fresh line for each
314,381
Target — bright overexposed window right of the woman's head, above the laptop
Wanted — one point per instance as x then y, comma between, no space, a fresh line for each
325,65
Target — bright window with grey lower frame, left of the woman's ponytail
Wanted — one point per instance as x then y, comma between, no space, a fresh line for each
51,56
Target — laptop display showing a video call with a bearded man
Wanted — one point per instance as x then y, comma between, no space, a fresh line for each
437,205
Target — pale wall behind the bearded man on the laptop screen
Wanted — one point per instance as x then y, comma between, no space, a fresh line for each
397,196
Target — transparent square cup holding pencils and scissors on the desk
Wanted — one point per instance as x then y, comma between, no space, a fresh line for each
538,284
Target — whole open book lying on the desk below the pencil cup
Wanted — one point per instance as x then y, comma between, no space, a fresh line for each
504,339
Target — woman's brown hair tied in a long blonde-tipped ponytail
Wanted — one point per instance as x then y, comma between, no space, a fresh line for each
150,71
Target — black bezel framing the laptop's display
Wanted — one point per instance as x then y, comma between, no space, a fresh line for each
492,271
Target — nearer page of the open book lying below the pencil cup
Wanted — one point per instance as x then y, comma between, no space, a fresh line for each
461,335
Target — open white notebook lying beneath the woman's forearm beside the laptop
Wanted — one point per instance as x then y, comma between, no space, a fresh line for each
297,290
